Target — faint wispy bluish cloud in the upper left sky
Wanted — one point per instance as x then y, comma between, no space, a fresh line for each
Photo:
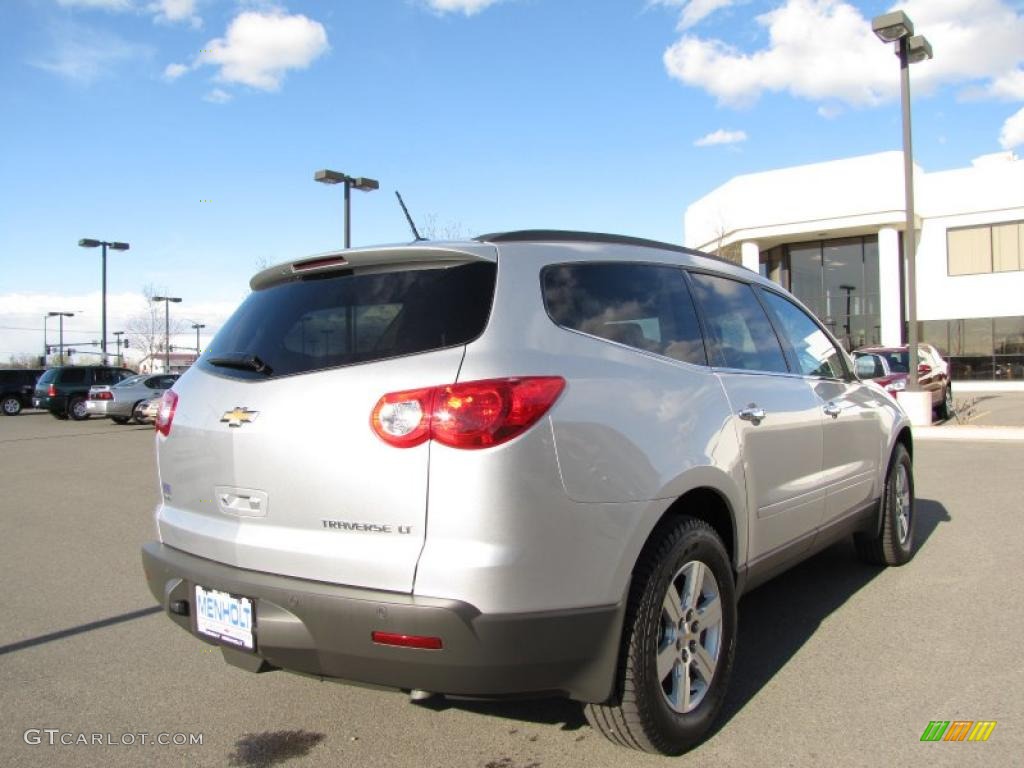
84,55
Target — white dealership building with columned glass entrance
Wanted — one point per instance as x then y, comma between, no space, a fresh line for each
832,233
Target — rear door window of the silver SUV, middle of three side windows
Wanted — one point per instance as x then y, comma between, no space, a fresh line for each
740,332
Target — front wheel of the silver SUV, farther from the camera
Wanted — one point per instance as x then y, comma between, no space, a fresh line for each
894,543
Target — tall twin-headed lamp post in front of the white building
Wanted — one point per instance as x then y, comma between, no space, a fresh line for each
897,27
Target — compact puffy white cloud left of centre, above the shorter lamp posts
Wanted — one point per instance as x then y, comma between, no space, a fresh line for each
261,48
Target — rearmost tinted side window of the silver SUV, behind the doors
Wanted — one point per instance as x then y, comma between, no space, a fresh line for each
643,306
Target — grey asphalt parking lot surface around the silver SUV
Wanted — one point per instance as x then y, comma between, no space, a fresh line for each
839,664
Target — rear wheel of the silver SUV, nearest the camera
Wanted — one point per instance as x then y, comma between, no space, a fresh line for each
684,574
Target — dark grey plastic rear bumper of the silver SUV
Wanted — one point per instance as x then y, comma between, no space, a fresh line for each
323,629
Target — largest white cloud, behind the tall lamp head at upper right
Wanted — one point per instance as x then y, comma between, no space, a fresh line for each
825,50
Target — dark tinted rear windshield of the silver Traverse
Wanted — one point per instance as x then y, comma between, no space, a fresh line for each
320,323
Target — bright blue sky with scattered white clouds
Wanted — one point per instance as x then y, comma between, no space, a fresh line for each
123,117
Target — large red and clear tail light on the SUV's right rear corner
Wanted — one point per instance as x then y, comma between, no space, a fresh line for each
470,415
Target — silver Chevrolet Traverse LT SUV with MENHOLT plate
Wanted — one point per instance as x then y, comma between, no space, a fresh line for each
536,463
